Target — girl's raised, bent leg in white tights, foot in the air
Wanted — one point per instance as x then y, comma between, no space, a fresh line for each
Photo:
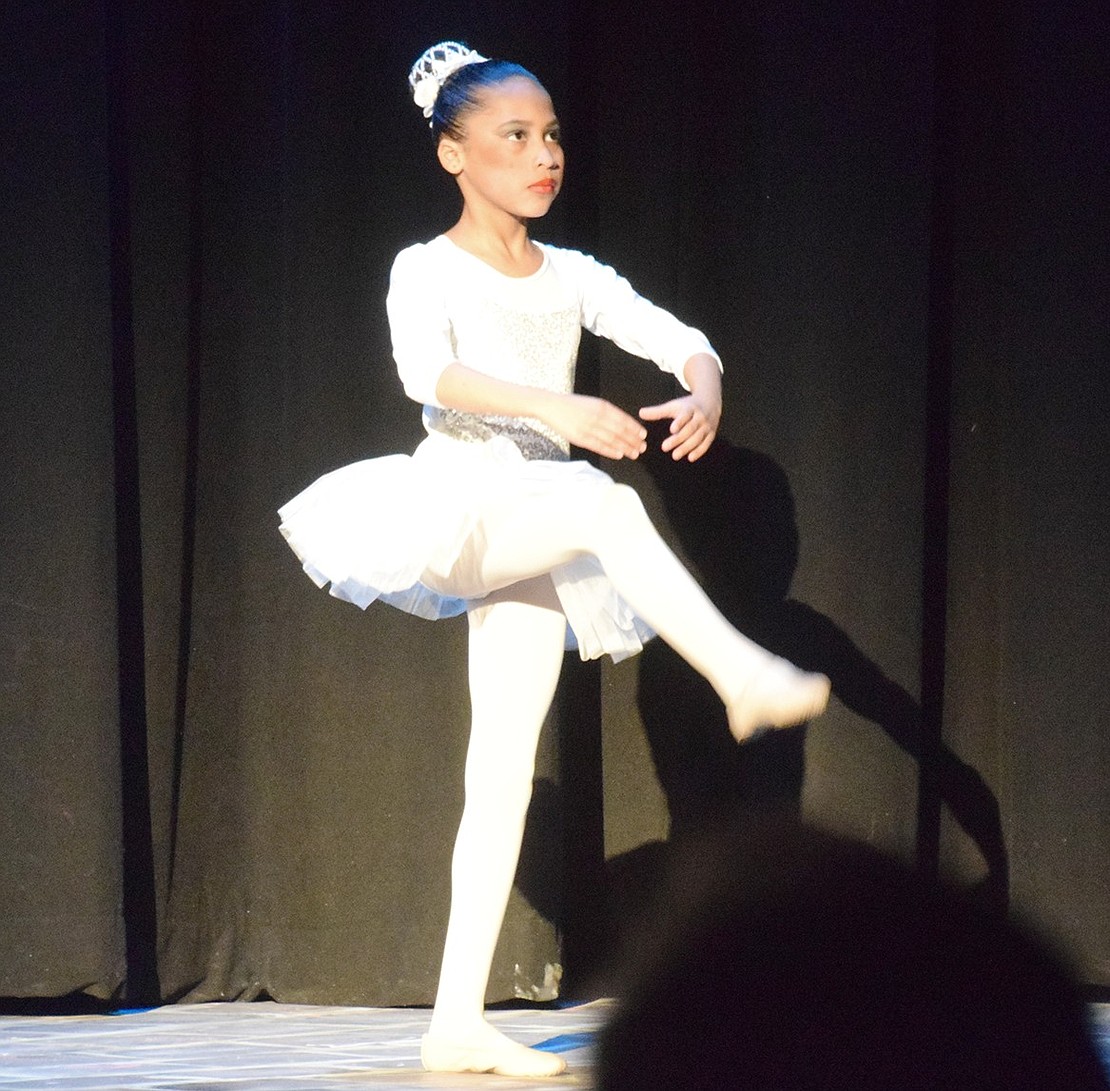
609,521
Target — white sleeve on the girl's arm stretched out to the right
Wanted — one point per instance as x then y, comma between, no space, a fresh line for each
612,309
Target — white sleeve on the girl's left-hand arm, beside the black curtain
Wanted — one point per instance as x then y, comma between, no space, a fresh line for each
420,327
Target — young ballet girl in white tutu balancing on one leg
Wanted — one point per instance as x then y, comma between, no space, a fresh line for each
491,519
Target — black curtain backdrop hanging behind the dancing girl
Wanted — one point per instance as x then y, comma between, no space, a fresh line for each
218,783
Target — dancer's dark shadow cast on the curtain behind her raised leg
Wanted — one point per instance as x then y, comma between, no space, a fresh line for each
734,516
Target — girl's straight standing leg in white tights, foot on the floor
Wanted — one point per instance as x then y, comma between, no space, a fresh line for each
517,640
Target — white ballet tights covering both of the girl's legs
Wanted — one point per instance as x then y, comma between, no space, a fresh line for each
516,654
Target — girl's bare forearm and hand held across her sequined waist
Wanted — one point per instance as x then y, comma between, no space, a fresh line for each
591,423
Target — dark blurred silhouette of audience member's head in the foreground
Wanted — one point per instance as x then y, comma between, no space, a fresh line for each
786,959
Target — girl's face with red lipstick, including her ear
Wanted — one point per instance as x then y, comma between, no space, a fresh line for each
510,159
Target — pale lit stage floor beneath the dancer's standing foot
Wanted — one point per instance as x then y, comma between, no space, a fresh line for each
270,1047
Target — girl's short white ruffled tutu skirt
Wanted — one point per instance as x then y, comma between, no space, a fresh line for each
375,529
